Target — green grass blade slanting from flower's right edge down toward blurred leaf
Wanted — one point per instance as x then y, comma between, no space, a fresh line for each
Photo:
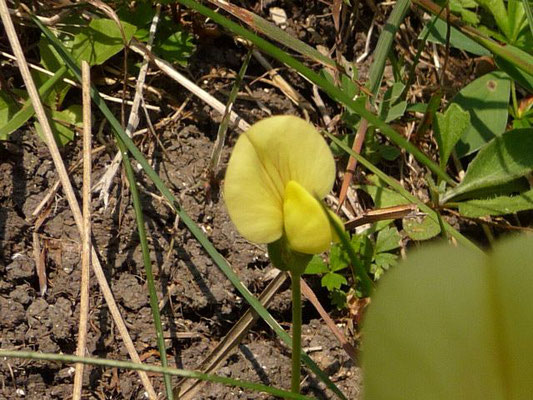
402,191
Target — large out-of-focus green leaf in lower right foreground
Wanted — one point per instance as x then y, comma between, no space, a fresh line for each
449,323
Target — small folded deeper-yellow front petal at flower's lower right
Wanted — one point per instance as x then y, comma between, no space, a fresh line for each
306,225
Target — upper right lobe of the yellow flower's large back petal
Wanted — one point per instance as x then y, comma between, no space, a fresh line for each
292,149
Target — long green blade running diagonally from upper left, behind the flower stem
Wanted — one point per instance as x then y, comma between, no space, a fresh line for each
184,217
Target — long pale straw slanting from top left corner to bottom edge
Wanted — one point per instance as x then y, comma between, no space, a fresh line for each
68,189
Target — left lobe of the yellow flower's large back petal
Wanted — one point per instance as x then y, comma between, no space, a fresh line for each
253,202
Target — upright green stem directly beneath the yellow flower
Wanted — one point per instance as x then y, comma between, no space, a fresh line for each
296,332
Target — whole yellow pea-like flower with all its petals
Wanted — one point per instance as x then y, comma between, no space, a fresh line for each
276,171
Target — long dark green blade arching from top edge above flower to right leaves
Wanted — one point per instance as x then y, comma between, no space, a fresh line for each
323,83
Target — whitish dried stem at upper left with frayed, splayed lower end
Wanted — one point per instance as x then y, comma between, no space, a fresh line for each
104,184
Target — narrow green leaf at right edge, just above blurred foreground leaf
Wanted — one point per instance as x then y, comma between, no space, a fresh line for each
500,205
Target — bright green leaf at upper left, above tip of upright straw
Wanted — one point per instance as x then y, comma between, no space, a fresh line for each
100,40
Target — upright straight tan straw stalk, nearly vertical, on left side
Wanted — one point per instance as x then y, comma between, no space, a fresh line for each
86,237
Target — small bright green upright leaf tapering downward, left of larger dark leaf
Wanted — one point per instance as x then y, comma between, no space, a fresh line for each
449,127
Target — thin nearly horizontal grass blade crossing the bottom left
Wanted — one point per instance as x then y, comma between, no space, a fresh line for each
102,362
